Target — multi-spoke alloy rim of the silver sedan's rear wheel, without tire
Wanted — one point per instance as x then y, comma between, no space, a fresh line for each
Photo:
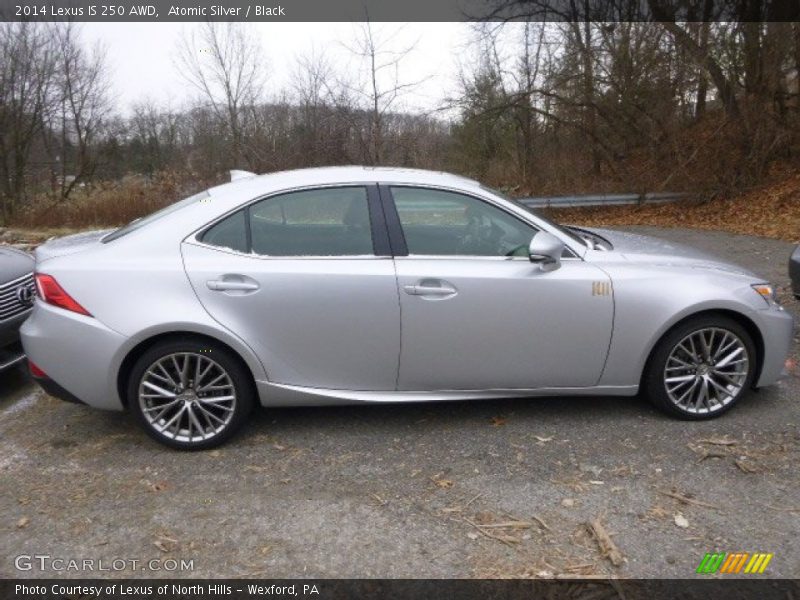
187,397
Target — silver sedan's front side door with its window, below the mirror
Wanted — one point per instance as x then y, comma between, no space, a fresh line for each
476,313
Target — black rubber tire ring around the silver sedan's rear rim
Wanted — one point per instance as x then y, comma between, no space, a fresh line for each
242,381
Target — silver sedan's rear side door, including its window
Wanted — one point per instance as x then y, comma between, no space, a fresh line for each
306,279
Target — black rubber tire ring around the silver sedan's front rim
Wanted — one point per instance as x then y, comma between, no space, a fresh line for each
653,382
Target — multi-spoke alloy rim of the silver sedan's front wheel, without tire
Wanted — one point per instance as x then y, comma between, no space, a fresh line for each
706,370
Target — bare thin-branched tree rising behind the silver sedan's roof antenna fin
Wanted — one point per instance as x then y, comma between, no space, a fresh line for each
224,62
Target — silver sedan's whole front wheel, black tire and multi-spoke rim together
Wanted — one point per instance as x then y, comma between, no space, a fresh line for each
700,385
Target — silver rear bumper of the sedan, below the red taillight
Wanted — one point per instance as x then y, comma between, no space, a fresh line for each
76,353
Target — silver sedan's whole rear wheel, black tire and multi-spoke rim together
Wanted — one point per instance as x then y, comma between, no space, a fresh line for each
166,401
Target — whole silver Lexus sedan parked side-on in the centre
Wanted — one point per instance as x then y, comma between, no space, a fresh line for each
353,284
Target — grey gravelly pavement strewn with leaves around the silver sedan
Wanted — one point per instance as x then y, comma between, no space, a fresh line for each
405,490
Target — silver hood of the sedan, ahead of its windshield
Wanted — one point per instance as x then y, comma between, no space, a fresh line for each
655,251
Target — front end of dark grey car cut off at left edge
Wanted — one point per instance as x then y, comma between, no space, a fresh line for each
17,291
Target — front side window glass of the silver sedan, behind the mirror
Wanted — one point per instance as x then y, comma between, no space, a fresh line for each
437,223
